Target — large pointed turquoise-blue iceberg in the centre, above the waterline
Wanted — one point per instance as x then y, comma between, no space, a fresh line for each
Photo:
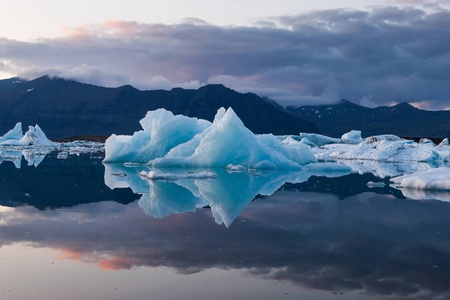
179,141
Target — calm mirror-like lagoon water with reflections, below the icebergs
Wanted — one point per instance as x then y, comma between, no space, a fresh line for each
75,229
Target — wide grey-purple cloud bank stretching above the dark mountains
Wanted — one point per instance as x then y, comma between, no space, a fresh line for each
389,54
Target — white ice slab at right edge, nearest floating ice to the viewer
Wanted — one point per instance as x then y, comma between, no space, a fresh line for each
434,179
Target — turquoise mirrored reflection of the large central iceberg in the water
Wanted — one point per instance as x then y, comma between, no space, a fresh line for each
226,194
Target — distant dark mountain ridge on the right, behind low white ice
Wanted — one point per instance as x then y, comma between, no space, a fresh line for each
402,119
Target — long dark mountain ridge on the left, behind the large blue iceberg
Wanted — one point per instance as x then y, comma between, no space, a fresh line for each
65,108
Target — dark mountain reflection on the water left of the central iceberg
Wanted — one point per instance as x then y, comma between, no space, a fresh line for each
57,183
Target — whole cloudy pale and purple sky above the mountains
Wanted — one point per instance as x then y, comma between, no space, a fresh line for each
373,53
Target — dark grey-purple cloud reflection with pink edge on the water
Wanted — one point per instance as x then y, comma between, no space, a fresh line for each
376,245
